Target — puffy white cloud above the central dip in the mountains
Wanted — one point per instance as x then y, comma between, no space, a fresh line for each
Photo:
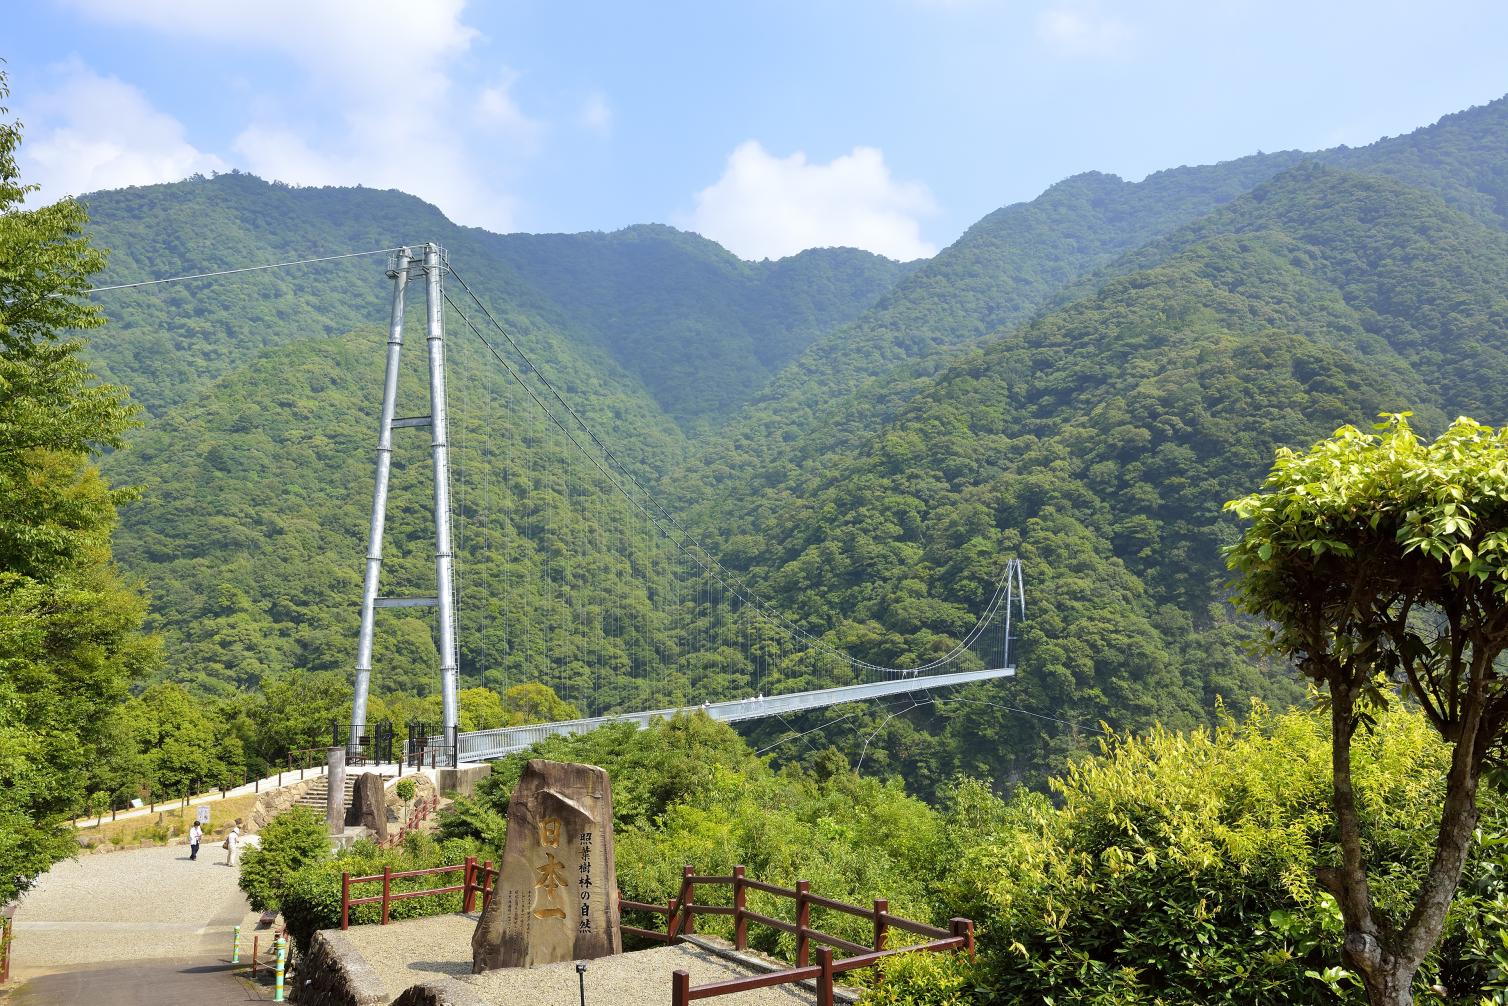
771,207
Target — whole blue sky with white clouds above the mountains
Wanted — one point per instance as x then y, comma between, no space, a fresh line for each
765,126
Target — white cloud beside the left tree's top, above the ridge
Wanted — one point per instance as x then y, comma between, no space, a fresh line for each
93,132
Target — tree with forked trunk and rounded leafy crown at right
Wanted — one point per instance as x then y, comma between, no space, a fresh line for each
1378,559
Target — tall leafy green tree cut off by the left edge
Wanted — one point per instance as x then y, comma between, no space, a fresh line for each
70,627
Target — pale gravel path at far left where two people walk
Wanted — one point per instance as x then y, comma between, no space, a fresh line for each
127,907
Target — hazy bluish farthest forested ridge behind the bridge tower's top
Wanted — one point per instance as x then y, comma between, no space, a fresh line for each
646,311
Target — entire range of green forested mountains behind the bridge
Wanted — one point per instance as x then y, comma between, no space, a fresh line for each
1080,381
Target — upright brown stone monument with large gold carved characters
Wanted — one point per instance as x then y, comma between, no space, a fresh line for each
557,898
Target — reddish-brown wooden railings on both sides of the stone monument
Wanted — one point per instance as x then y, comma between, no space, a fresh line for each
681,919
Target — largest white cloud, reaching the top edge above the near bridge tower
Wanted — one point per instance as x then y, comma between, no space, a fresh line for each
379,106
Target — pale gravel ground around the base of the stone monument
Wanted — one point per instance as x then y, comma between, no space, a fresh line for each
428,949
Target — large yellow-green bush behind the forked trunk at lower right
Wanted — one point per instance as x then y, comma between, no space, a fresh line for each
1182,868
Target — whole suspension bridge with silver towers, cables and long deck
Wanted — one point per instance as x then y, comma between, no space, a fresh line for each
577,575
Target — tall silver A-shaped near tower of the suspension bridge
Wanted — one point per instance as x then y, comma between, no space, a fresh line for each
403,269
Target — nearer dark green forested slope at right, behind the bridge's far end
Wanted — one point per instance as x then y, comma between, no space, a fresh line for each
1100,441
